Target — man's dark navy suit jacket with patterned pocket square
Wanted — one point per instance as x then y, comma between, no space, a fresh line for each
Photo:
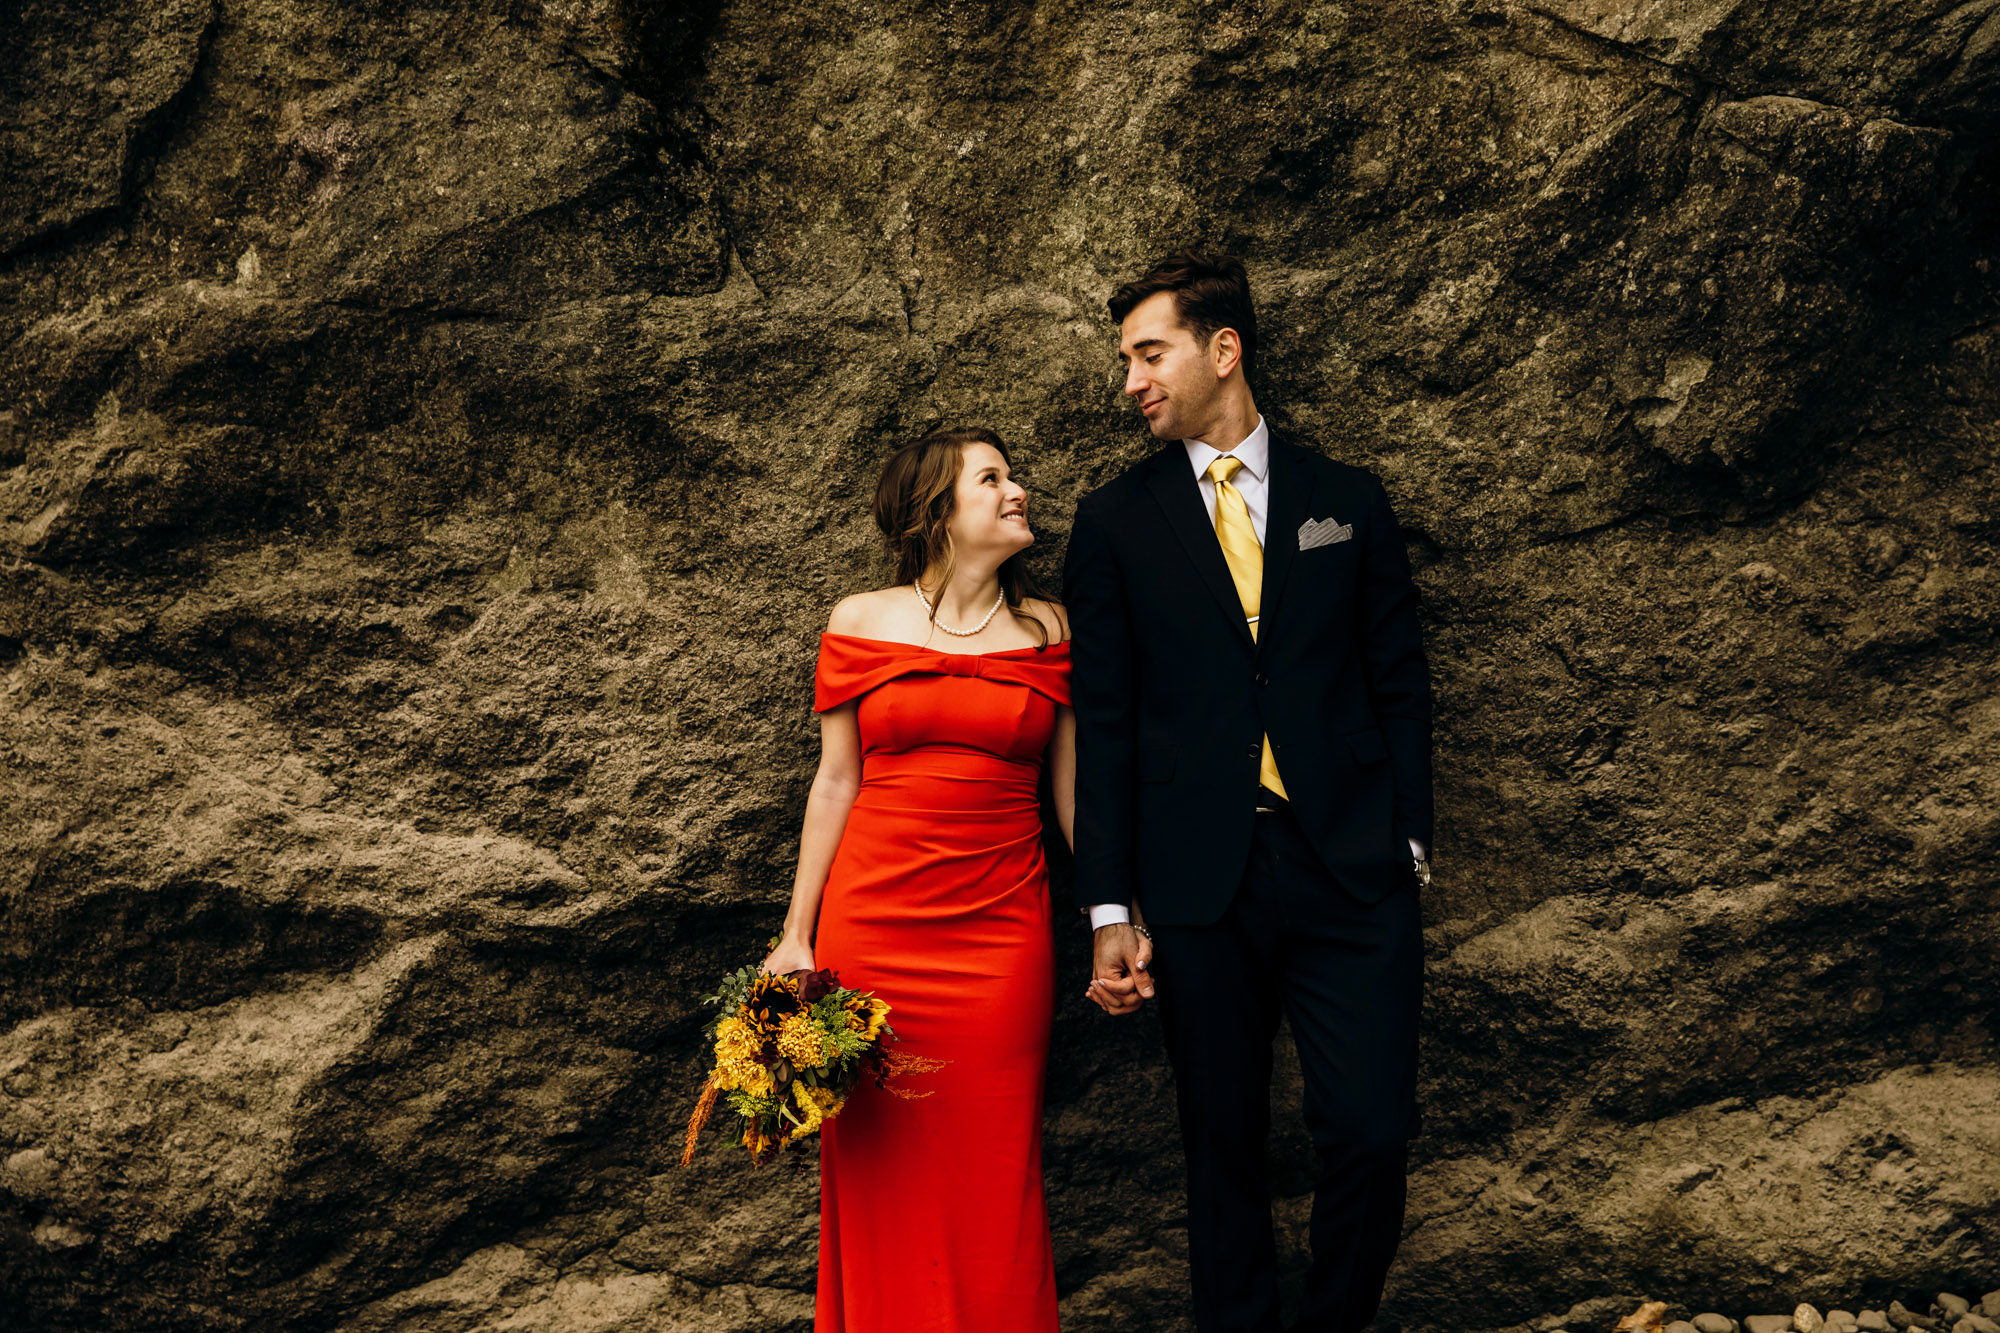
1173,696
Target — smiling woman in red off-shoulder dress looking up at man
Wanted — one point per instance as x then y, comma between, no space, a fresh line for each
921,878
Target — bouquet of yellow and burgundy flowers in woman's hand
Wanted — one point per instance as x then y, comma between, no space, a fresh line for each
789,1054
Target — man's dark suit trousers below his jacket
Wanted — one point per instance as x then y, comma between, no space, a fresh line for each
1349,978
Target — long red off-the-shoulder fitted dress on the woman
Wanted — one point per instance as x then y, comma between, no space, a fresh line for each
931,1212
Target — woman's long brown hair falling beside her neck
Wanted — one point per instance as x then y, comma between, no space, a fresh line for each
915,499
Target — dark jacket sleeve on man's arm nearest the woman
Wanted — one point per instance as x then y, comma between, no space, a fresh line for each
1105,690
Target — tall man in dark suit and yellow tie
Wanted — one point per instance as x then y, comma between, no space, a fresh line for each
1253,772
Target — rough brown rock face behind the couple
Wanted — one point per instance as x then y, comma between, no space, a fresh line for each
435,435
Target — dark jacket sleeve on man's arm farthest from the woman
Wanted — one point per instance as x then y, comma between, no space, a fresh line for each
1399,678
